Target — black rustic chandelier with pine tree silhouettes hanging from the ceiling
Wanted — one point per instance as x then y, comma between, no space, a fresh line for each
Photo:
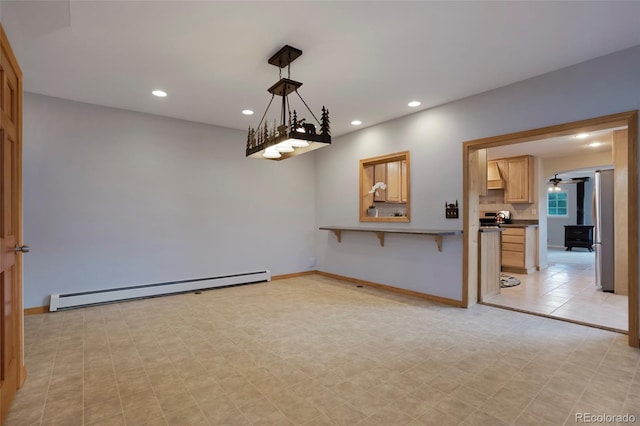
294,135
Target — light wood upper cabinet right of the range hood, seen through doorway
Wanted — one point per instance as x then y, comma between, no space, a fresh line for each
519,180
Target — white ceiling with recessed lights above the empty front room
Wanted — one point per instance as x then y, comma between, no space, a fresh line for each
363,60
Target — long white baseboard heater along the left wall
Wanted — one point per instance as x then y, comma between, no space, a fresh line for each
76,300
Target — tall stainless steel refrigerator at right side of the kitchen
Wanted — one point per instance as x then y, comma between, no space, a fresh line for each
603,219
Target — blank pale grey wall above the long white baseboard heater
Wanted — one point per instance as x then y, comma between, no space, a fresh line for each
116,198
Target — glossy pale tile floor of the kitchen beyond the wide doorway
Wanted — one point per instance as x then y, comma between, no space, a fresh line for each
566,290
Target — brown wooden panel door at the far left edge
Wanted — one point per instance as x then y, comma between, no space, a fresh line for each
11,312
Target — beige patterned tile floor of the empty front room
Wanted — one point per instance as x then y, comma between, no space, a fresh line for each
316,351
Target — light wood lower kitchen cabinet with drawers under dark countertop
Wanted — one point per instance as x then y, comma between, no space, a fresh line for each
519,249
